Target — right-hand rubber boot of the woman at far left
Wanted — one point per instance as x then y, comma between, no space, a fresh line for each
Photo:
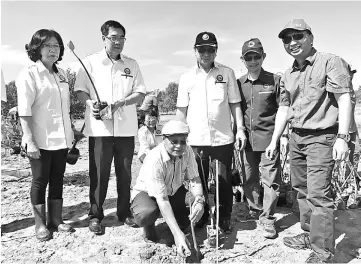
55,219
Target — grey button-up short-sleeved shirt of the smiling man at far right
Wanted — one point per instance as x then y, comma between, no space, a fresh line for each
311,90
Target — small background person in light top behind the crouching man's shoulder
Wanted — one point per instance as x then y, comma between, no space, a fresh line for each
146,134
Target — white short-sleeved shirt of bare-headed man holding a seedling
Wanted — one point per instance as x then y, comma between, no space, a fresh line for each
114,80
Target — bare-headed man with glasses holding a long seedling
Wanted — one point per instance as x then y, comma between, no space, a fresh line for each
120,83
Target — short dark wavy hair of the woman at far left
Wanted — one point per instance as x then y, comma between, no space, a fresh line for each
39,38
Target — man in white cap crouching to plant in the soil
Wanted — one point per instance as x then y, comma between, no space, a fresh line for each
159,186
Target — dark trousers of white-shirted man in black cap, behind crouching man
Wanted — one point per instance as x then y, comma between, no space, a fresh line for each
224,155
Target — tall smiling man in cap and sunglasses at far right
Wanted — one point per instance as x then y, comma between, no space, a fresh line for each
318,86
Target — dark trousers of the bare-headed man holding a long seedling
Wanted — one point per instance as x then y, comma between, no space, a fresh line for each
101,153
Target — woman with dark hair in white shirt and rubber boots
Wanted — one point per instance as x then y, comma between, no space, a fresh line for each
43,107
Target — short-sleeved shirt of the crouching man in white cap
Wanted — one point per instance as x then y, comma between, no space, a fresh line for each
160,176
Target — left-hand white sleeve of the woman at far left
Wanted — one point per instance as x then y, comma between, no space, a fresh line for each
26,90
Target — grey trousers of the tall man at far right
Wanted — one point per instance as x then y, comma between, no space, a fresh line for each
311,165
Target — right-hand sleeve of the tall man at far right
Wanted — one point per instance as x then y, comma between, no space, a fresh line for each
338,78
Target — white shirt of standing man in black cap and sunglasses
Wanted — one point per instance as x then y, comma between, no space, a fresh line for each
207,96
